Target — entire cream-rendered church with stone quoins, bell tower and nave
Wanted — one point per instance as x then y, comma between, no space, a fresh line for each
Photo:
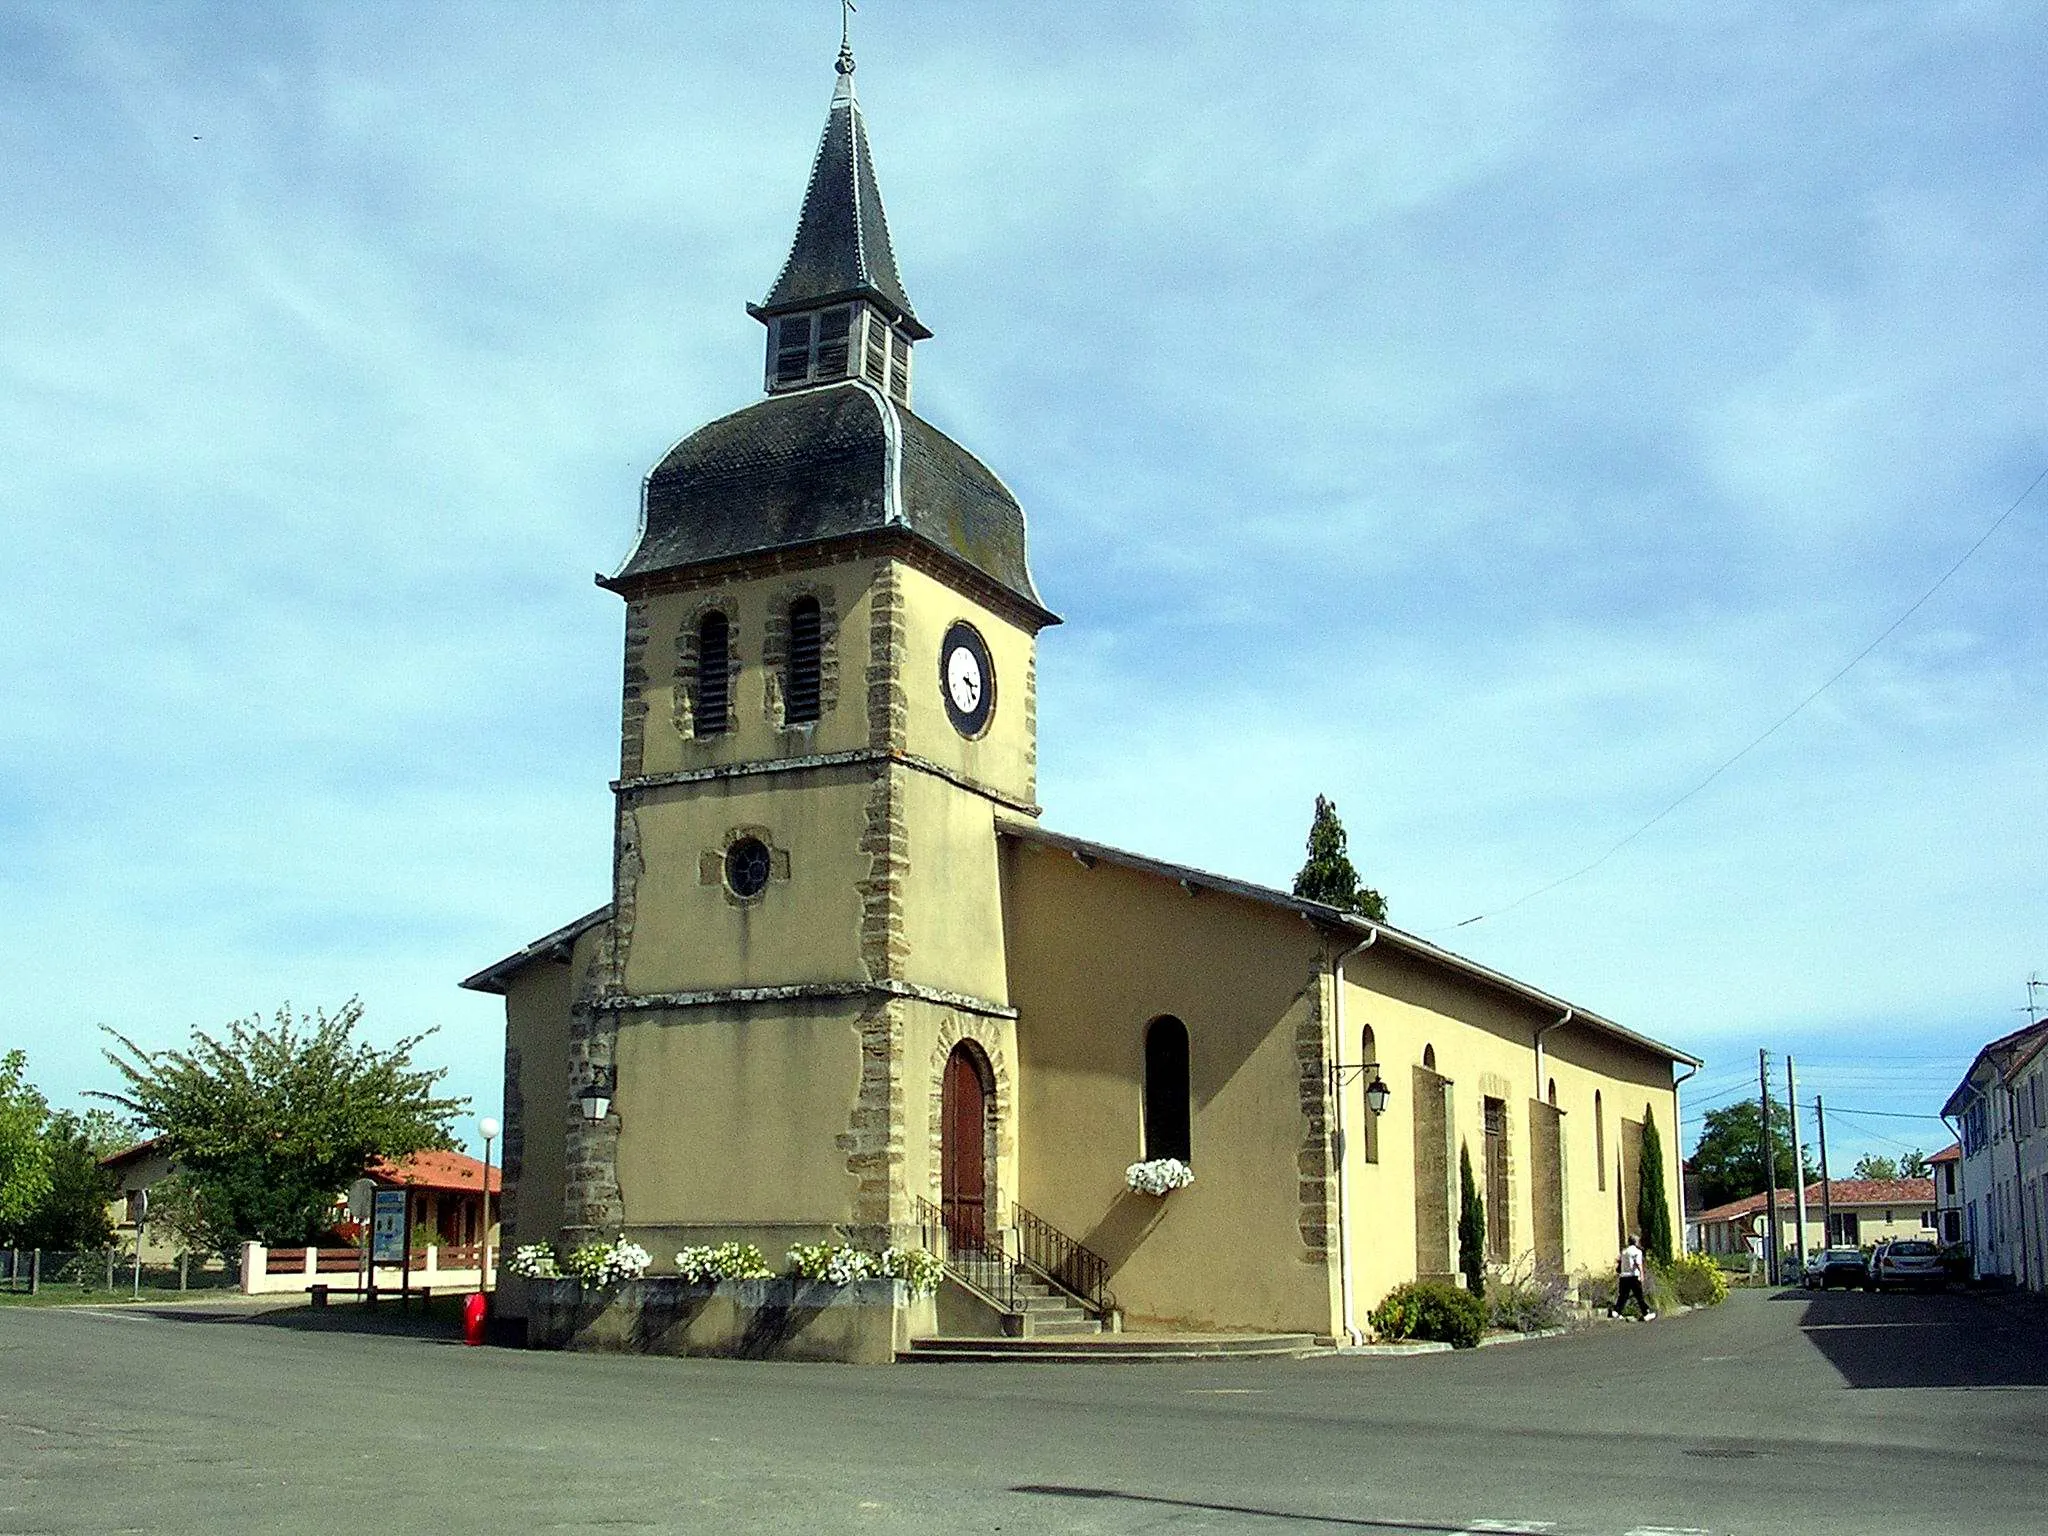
849,986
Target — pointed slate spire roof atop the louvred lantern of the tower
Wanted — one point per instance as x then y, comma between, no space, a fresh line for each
843,234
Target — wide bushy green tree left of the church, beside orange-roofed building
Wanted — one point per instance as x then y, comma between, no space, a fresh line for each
269,1123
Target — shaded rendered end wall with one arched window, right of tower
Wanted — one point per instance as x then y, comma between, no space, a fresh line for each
1095,957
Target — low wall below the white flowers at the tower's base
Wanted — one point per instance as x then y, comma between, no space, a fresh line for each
863,1324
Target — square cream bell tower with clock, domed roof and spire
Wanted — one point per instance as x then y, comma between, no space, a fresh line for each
830,699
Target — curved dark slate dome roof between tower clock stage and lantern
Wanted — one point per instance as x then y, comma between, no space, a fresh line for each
818,466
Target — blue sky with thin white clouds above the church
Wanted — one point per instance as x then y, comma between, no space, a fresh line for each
1490,417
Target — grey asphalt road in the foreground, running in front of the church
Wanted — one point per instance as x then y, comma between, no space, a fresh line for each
1770,1414
